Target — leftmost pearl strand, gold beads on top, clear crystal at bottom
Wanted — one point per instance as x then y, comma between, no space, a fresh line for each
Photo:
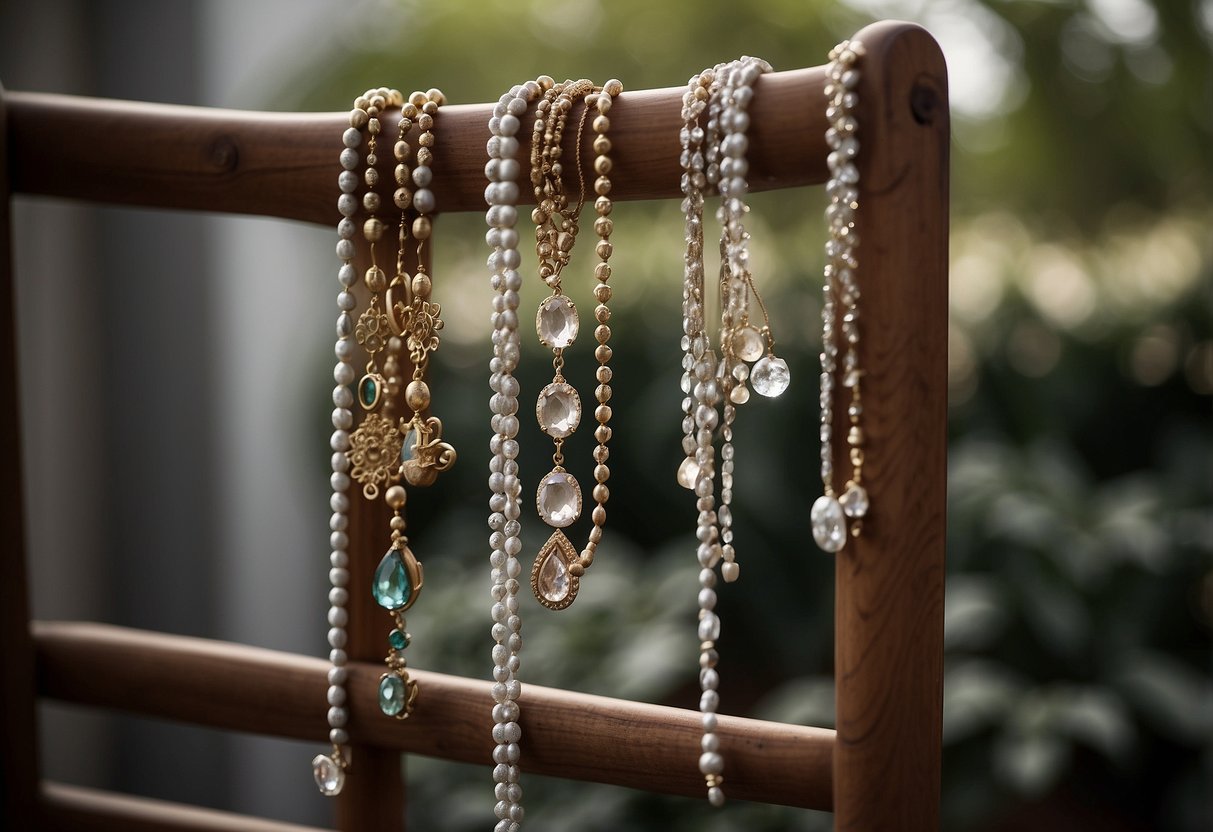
329,771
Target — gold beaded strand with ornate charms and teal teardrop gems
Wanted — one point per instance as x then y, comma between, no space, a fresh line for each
422,455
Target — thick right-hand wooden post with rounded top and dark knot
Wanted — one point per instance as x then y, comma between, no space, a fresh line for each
890,584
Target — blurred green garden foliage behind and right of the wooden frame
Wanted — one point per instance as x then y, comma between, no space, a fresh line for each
1078,688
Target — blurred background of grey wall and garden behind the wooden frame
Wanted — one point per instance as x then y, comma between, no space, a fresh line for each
176,385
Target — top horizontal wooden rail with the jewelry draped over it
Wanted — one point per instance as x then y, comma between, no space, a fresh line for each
286,166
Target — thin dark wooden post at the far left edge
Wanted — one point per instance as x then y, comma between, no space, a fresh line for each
19,757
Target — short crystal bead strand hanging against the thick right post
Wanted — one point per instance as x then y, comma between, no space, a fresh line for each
832,512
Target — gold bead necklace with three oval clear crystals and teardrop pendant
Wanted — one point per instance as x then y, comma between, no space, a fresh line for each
559,568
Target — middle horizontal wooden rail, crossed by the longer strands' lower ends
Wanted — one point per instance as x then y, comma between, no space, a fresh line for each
568,734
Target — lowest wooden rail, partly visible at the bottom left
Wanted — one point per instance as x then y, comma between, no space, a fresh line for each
76,810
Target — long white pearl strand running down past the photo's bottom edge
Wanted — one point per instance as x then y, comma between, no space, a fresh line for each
502,195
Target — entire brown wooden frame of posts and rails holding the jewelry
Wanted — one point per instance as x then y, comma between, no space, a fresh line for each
880,771
